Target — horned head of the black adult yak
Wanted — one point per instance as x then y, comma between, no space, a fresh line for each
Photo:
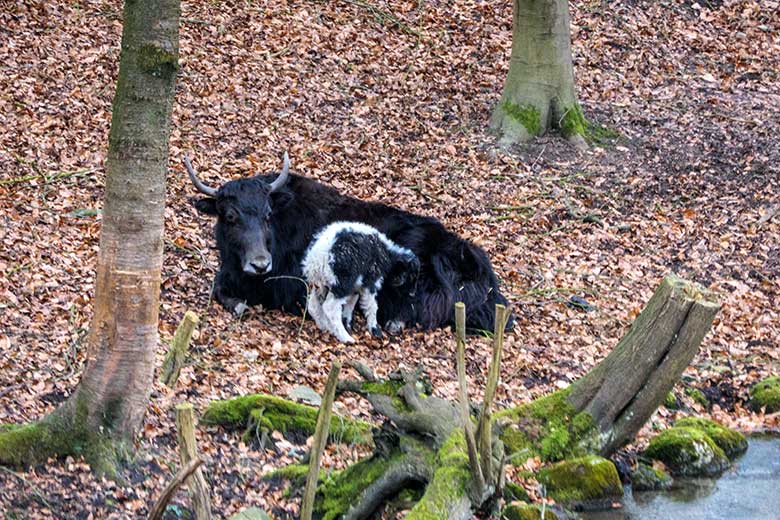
243,209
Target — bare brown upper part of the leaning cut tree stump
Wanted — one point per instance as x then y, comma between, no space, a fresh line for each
623,391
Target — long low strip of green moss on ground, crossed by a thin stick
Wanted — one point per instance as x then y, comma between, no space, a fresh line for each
284,416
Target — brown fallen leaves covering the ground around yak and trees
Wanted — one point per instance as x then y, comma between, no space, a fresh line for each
389,101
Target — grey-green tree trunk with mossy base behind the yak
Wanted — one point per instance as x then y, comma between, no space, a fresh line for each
539,89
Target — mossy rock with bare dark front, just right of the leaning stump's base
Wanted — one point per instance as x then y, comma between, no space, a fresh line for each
688,451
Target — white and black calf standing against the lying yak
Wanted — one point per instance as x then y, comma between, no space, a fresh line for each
350,261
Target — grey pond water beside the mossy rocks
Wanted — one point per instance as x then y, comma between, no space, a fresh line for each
749,491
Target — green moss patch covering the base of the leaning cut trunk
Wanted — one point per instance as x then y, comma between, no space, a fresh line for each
548,428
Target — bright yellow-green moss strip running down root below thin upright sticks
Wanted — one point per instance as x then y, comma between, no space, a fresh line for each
449,481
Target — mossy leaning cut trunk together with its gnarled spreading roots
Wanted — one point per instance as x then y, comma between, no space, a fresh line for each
424,442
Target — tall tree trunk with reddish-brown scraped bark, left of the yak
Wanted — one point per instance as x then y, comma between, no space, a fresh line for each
107,408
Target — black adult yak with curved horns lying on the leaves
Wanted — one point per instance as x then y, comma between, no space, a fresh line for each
265,224
